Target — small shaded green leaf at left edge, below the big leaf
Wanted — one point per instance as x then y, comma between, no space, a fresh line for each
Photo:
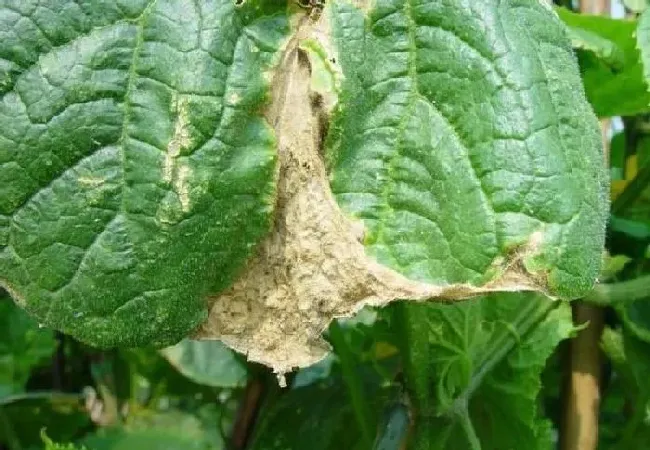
23,346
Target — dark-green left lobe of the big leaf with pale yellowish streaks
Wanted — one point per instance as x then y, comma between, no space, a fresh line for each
136,173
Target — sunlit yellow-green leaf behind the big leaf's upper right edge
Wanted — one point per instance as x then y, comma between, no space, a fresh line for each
611,93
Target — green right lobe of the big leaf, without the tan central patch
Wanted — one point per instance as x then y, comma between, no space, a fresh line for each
462,145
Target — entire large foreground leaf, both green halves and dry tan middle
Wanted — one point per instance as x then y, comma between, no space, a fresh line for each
144,159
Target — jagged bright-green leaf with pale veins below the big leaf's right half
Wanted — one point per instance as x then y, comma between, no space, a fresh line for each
473,370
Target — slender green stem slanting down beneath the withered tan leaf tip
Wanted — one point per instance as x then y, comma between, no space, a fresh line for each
353,383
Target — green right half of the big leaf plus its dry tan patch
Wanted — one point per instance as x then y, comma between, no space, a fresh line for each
468,152
